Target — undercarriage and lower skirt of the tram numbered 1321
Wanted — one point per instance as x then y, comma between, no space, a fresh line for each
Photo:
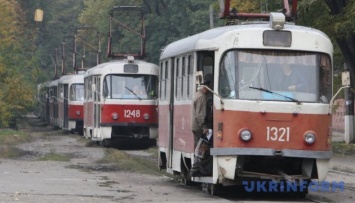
231,170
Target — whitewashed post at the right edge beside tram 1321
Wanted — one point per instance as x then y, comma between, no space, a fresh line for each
349,110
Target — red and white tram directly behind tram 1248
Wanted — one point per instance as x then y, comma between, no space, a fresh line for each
71,102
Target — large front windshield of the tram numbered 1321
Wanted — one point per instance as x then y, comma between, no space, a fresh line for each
276,75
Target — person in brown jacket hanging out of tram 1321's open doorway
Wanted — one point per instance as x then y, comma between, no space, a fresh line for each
202,131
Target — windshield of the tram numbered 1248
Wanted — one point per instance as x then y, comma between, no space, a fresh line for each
130,87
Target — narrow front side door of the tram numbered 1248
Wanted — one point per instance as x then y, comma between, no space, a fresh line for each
97,109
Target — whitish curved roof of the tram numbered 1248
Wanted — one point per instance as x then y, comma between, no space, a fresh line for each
116,67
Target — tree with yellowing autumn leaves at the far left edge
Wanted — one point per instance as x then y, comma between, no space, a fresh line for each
16,93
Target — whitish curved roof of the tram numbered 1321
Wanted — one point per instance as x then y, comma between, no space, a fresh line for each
211,39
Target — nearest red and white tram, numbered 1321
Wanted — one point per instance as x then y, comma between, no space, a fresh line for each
261,130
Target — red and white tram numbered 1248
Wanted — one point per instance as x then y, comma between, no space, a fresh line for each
121,101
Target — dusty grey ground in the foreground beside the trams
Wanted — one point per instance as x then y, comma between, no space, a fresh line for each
33,177
